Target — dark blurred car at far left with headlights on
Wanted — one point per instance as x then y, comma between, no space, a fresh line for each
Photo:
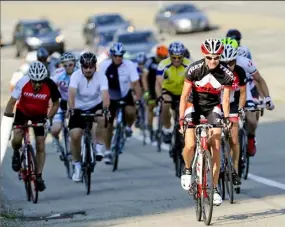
30,35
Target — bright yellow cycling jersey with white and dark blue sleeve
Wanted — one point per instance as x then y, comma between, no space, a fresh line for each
173,76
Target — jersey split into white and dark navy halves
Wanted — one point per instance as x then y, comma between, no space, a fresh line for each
119,78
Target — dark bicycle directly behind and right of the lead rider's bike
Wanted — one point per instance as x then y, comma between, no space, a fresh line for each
226,169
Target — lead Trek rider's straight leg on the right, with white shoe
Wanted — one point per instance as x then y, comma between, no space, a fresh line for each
214,117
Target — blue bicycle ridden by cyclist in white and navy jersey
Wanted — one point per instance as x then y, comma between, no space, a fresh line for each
119,139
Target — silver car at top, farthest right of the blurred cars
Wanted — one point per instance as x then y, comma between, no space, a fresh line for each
181,18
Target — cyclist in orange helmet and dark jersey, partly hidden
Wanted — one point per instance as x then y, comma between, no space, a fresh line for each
149,79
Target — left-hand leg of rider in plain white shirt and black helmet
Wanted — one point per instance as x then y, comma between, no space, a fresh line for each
76,126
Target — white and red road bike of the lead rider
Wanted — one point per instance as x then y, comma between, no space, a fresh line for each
202,191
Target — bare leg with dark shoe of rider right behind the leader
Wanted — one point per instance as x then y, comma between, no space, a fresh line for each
234,140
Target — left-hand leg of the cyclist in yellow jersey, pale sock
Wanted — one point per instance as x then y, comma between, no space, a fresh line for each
166,115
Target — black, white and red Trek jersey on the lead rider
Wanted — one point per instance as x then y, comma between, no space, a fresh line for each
207,84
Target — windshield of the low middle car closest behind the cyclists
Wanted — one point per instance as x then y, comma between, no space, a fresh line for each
141,37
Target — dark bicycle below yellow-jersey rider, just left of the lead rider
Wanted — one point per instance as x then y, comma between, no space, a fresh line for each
177,144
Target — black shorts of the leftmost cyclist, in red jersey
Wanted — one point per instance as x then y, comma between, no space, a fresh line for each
22,119
